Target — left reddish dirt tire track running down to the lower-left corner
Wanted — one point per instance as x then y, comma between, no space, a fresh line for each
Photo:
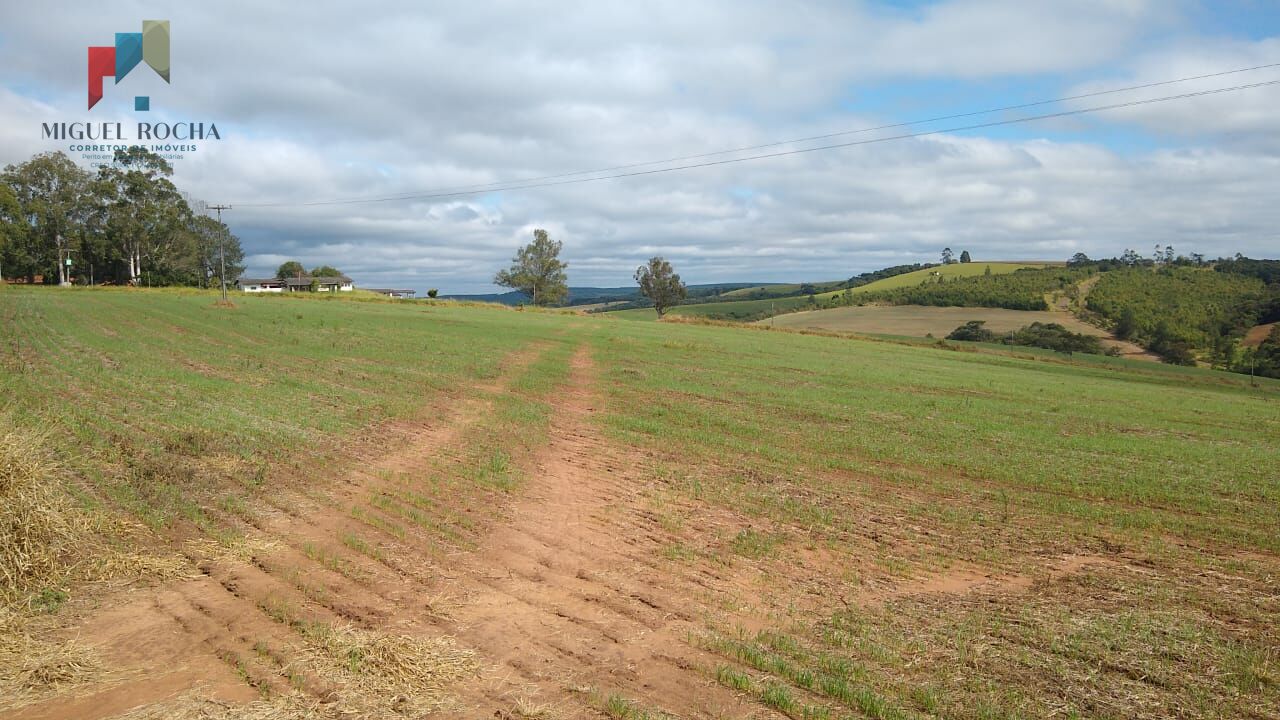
227,631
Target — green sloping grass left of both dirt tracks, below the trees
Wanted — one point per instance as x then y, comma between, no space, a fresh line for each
272,382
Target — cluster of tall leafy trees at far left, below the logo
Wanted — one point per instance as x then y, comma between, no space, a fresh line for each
122,224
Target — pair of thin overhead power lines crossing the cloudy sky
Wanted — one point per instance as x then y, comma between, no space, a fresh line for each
554,180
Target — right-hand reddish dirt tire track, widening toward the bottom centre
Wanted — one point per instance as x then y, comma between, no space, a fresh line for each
565,596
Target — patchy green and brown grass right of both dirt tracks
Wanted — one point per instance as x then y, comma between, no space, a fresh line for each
921,461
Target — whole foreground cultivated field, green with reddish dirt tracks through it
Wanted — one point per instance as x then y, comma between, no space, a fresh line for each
310,508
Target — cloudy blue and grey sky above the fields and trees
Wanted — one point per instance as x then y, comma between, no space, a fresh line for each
345,102
